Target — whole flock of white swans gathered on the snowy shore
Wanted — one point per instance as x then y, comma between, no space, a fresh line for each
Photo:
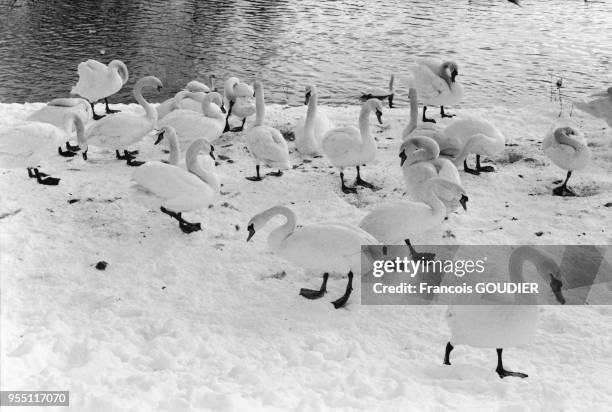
192,120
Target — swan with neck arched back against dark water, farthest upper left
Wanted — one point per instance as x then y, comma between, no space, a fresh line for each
98,81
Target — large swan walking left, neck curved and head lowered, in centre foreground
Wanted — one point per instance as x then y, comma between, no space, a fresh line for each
329,247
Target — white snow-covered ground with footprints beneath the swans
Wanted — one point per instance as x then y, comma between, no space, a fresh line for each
206,321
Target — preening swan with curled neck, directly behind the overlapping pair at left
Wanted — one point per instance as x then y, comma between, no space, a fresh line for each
190,125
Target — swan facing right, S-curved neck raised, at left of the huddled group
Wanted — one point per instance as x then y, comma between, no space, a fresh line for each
120,130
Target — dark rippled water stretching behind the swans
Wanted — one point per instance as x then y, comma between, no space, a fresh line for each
506,53
